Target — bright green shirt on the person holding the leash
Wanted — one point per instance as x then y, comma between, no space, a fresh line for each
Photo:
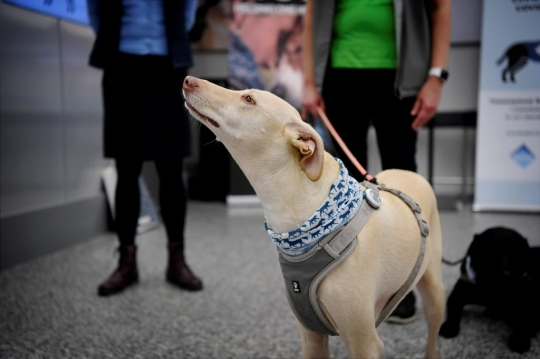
364,35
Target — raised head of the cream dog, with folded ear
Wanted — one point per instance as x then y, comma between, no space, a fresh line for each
259,129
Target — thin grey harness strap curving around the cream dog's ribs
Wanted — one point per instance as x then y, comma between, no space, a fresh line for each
424,230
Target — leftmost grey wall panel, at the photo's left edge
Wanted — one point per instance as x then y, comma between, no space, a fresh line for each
31,132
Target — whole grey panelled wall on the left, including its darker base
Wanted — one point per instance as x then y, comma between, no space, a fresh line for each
50,136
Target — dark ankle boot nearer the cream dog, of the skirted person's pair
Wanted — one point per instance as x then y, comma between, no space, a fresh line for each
178,273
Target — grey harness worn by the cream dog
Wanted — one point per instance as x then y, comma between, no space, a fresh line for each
303,273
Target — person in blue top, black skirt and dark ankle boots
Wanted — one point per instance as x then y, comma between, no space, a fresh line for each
144,51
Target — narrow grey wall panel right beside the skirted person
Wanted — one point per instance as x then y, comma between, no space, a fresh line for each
83,115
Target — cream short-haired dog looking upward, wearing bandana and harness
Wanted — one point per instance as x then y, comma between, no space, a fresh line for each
285,162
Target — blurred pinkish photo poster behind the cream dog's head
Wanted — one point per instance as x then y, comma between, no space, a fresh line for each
266,47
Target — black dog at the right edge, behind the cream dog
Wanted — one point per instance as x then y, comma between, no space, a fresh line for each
501,272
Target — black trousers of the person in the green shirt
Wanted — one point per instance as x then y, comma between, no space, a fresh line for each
358,98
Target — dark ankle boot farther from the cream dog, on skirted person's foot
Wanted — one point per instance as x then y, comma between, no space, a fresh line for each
125,275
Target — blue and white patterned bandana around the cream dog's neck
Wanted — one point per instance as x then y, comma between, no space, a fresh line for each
341,205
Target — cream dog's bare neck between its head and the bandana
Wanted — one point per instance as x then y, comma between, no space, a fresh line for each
288,196
